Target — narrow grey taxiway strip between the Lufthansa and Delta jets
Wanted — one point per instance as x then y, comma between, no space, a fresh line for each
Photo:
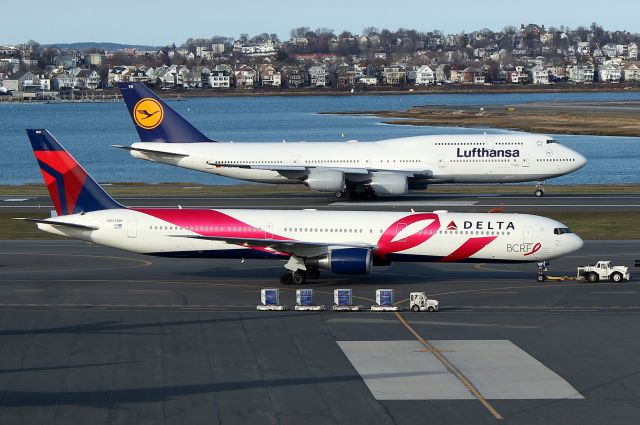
426,201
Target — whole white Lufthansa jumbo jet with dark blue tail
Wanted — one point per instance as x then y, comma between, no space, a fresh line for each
385,167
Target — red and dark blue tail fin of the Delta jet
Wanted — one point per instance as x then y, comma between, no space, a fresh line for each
72,190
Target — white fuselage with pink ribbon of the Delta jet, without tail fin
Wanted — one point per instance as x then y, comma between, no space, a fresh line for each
394,236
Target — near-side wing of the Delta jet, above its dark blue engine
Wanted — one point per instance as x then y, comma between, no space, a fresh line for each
299,248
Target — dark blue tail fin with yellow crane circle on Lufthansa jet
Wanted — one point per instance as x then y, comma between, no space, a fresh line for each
154,119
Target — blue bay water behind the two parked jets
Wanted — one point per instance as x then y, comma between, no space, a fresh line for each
88,130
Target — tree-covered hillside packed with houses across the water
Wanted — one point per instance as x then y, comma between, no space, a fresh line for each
323,60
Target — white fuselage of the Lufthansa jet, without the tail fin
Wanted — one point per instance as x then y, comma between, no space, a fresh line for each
493,158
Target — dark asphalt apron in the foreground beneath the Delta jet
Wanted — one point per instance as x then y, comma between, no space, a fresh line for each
94,335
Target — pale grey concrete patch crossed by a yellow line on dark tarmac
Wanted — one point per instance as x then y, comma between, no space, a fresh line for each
499,369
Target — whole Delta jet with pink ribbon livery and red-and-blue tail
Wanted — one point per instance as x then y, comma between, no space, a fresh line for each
347,242
